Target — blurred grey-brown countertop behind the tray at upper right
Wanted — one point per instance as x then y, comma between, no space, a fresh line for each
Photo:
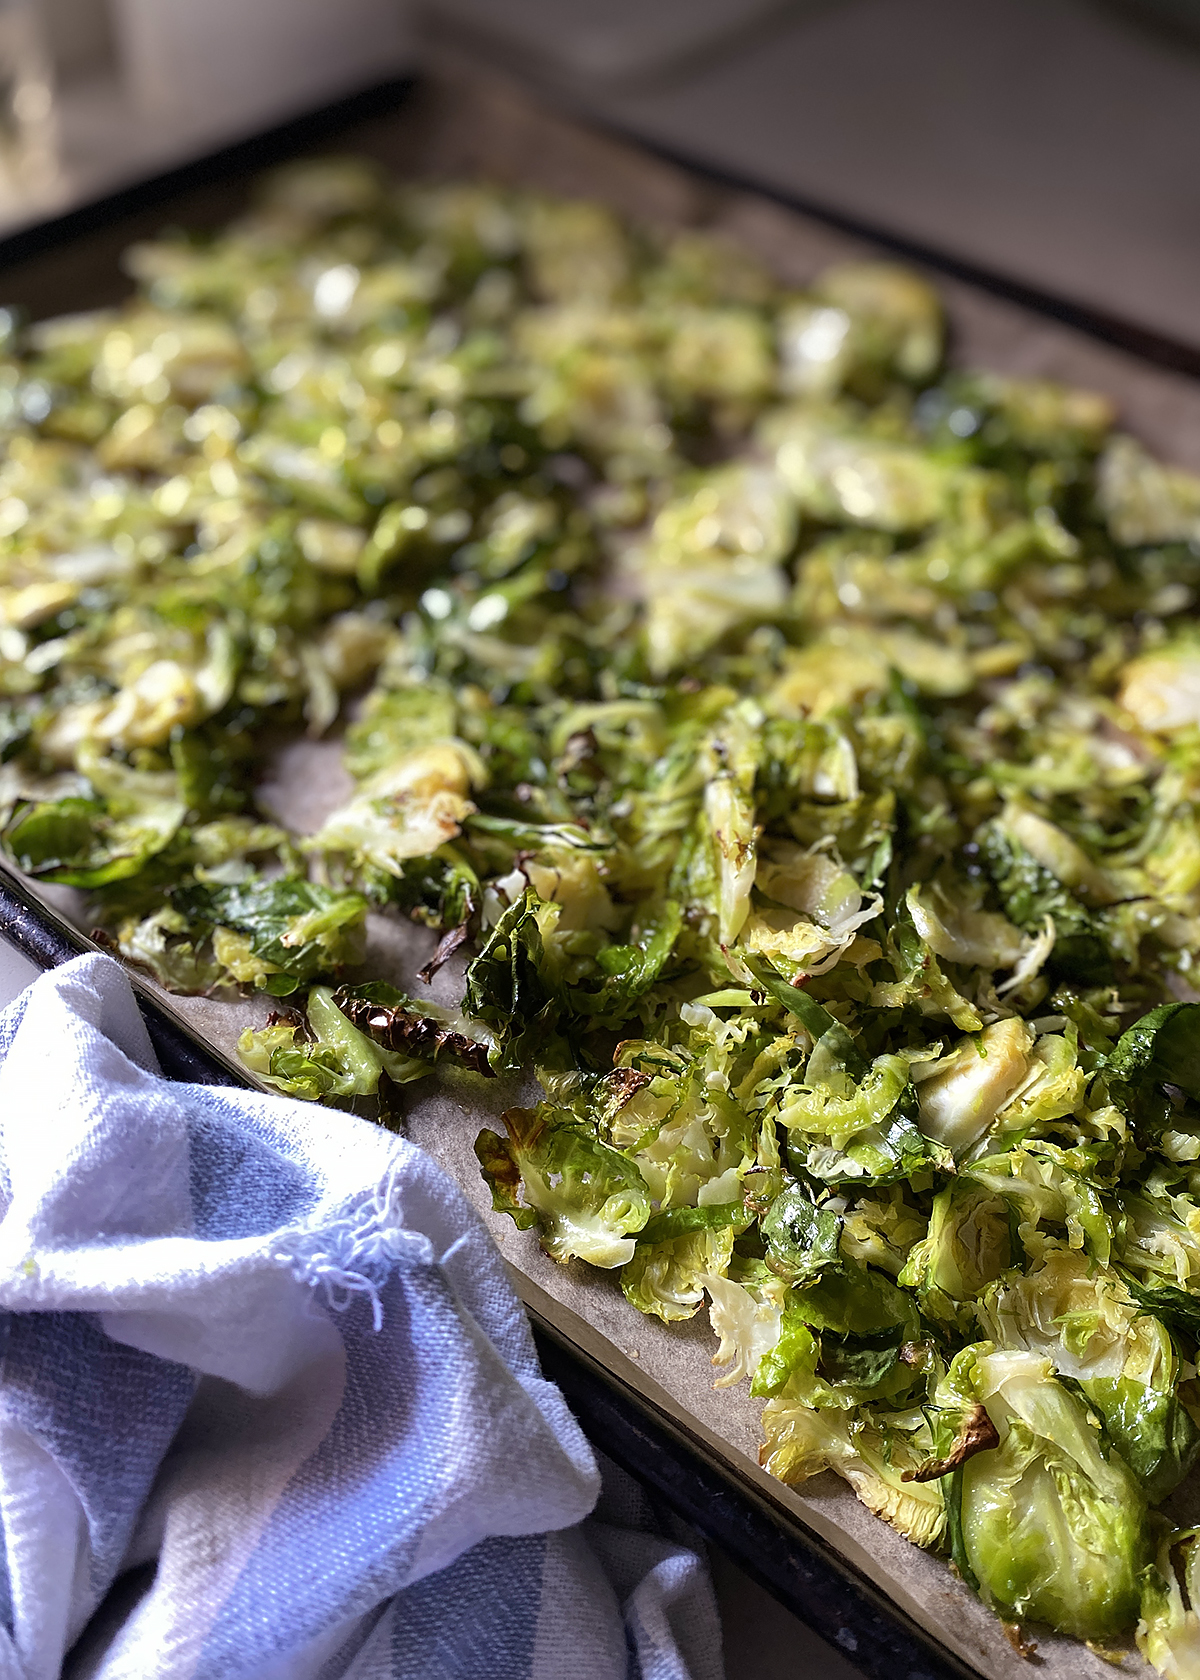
1053,142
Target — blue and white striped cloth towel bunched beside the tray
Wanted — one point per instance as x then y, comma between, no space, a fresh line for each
270,1407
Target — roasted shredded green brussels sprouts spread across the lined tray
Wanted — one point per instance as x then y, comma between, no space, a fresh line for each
797,735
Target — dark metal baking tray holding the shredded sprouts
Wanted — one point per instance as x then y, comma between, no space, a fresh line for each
73,263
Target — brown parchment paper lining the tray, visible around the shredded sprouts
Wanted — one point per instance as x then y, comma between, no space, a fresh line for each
468,125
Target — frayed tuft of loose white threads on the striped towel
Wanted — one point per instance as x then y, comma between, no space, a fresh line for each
355,1252
